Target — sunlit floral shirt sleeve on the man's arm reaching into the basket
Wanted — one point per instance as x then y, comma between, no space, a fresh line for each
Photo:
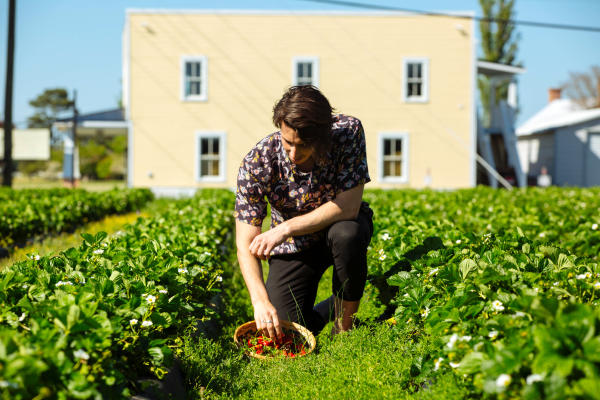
250,201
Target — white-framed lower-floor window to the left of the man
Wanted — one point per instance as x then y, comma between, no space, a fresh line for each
210,156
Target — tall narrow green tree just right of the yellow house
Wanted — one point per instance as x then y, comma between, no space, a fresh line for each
498,44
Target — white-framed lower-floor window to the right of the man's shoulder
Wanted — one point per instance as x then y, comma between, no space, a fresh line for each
393,157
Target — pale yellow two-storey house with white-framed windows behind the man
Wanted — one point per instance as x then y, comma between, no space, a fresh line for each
199,88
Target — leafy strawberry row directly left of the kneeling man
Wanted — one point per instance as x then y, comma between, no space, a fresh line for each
91,321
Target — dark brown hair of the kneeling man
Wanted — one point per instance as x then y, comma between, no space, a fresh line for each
308,112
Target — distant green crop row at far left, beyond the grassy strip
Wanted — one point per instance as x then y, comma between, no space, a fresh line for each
30,212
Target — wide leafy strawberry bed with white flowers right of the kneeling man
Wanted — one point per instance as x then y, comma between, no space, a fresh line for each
508,285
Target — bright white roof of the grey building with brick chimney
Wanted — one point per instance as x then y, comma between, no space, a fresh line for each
558,113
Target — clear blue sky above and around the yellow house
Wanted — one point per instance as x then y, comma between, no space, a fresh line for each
76,44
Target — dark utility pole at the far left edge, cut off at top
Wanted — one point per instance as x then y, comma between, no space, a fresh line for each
10,52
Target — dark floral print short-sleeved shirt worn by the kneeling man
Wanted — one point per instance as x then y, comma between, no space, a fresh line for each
267,174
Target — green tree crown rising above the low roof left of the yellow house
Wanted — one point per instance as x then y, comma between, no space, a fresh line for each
48,106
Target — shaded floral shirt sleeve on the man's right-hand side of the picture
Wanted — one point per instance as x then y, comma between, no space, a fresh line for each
353,169
